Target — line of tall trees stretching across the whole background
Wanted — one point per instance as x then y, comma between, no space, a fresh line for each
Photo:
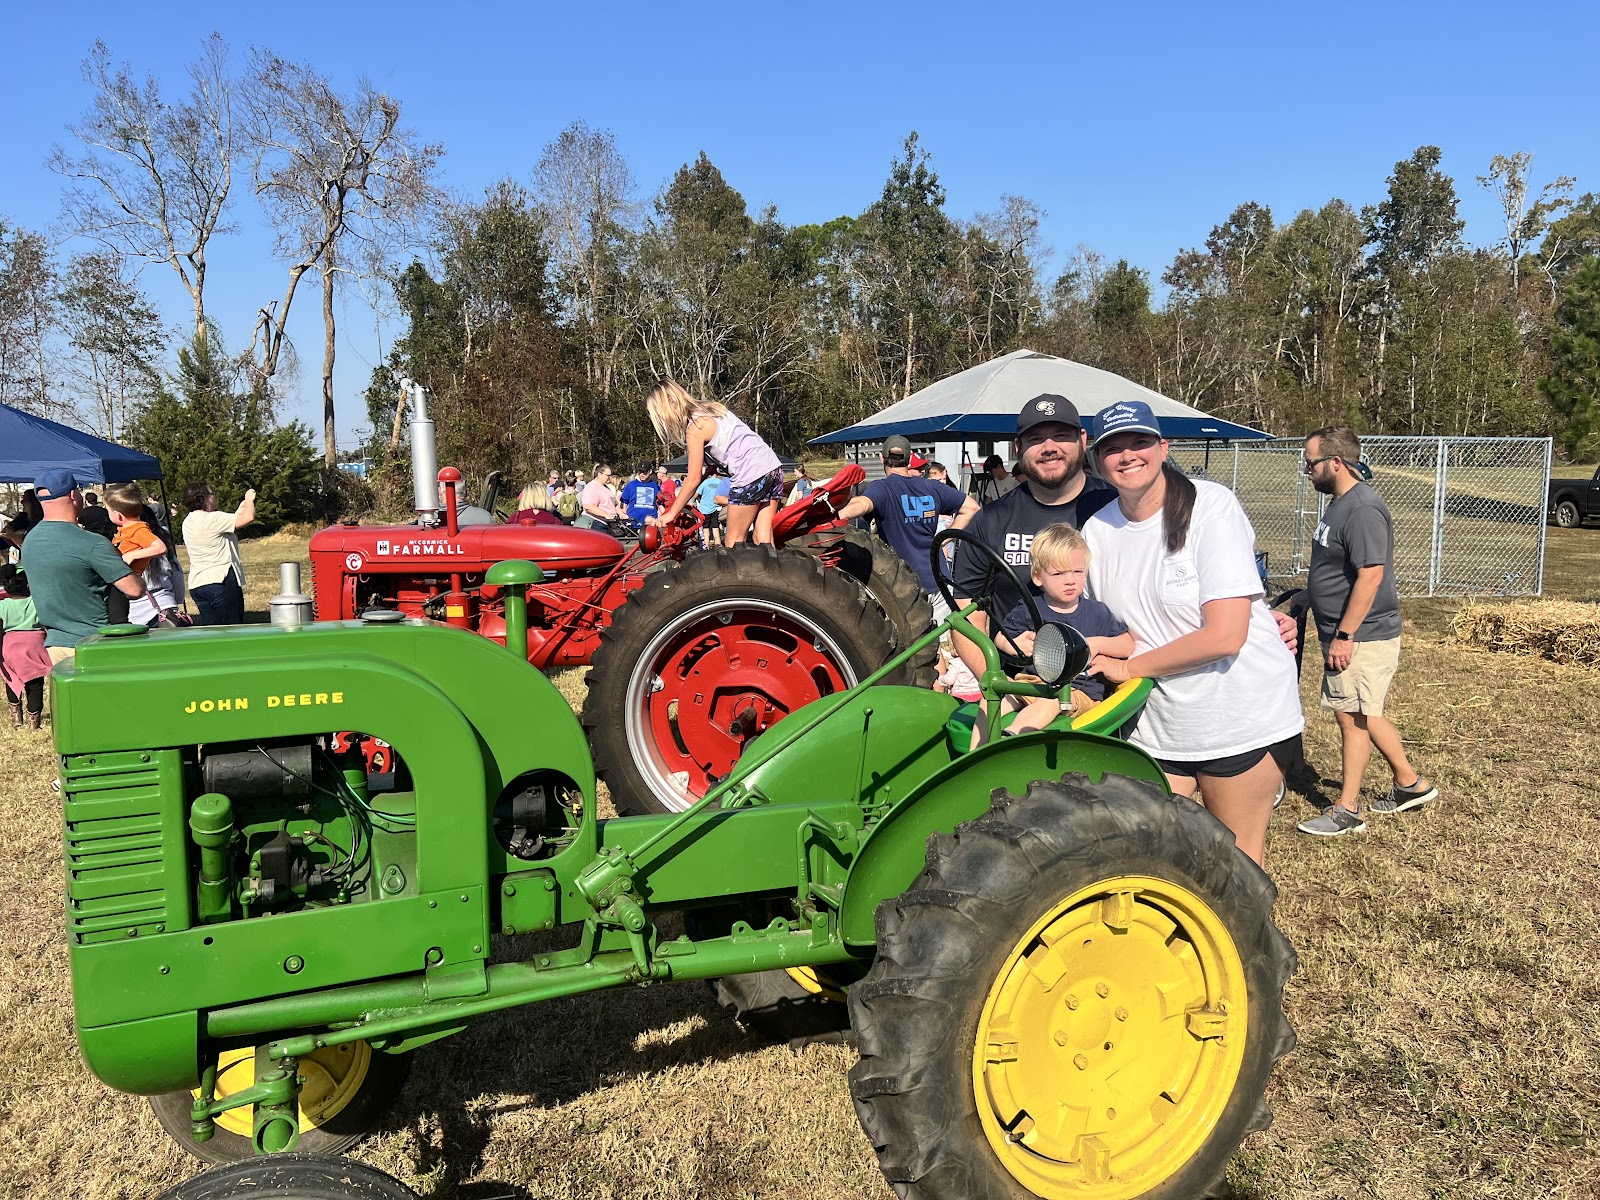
542,310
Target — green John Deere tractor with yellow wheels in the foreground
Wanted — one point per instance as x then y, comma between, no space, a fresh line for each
1063,980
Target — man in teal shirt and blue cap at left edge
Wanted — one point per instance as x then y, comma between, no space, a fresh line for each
71,569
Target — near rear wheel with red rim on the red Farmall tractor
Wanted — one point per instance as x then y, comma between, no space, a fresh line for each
714,652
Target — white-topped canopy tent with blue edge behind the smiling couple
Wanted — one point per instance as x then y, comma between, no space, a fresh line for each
983,402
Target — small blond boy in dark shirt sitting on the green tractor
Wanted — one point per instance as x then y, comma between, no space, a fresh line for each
1060,569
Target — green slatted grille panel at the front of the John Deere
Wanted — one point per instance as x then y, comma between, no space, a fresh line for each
126,846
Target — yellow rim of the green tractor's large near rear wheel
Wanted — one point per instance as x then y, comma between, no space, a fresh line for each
1111,1041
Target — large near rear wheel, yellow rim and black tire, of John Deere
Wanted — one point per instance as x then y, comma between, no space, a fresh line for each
988,926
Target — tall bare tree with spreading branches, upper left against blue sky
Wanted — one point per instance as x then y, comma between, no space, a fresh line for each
153,177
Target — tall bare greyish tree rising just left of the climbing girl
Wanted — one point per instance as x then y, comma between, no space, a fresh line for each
588,196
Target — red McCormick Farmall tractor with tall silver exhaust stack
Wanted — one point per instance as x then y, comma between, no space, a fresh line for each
694,654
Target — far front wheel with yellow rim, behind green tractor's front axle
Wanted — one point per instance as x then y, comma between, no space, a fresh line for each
348,1089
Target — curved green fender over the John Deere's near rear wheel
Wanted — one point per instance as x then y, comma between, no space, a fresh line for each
895,849
